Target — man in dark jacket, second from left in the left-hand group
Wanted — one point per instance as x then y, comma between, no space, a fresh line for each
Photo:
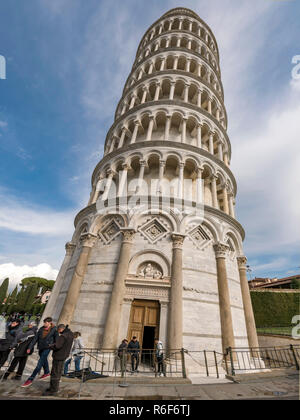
21,355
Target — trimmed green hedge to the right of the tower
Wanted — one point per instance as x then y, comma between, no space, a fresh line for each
274,308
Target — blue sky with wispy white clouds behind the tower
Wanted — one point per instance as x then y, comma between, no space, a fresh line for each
67,61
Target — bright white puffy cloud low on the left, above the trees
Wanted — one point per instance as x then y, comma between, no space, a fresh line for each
16,273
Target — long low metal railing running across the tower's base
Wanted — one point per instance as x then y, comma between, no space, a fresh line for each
172,363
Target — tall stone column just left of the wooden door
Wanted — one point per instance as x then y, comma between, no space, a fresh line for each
110,337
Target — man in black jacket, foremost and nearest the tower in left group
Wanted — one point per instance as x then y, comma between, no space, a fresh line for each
61,351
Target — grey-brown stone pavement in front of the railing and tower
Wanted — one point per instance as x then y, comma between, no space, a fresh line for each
280,384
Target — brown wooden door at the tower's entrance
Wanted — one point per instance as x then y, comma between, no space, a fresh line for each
144,313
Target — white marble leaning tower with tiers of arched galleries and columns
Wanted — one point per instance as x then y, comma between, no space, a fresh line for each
157,251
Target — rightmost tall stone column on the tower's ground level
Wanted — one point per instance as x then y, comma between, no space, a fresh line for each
248,310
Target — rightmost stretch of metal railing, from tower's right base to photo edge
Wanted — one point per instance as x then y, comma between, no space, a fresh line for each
243,360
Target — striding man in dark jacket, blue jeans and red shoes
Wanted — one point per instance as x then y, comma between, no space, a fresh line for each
44,338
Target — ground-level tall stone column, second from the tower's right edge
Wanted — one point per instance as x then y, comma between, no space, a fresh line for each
224,298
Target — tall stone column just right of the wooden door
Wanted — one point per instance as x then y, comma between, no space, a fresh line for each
175,306
